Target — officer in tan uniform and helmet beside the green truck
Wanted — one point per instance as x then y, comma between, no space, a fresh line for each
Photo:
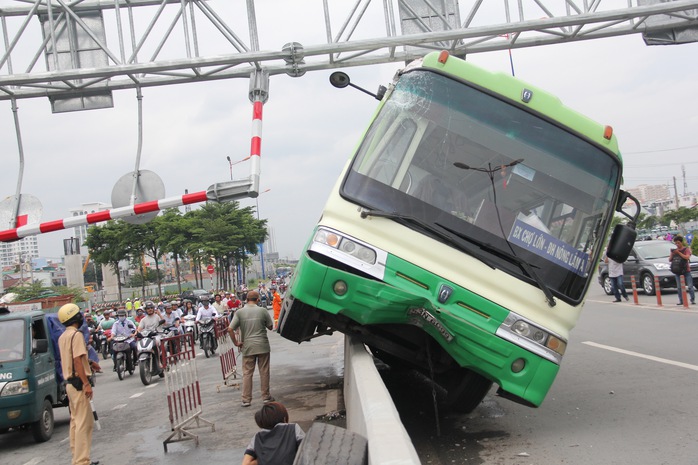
77,372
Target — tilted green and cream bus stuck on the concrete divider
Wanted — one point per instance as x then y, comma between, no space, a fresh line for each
462,236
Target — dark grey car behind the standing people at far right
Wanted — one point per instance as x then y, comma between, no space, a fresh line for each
647,260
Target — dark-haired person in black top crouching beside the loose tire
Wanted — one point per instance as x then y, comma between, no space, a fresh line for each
278,441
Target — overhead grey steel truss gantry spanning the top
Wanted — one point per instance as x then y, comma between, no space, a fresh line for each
52,48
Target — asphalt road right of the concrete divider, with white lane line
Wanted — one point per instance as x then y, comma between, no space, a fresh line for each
626,394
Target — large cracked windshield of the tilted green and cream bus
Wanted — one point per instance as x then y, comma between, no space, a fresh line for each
458,158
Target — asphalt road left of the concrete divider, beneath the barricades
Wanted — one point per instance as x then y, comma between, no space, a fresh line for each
135,420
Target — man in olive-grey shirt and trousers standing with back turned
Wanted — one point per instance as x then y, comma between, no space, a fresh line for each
253,322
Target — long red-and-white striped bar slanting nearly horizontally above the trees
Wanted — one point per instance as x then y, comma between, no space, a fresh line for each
98,217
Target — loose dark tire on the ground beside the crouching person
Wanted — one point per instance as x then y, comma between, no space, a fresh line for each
326,444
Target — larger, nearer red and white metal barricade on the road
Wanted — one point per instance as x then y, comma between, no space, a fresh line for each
178,356
